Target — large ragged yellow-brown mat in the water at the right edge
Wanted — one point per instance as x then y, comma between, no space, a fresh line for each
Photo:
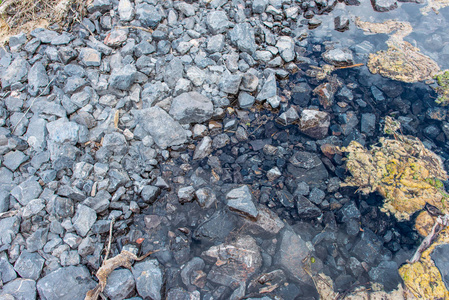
402,170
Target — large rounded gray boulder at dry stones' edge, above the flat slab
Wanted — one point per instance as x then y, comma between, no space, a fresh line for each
191,107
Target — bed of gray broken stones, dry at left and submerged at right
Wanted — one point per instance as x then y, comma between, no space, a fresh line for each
201,127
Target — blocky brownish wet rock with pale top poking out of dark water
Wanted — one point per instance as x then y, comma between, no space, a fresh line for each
314,123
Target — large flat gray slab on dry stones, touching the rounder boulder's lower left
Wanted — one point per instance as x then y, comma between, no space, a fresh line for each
165,131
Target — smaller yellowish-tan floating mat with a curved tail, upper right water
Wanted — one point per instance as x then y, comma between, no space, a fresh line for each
401,61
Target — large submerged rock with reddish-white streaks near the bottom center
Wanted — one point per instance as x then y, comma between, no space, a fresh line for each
235,266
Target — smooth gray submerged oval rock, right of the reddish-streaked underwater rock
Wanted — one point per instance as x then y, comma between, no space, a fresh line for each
292,254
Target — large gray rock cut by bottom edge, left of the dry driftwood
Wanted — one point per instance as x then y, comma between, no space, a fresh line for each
69,283
